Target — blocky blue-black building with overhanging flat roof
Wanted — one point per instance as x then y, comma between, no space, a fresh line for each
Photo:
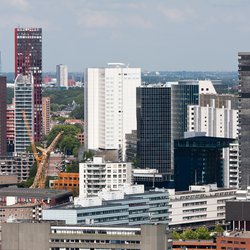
198,161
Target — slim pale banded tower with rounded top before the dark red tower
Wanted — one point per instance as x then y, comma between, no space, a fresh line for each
23,96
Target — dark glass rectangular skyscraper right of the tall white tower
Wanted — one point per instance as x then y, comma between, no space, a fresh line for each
154,130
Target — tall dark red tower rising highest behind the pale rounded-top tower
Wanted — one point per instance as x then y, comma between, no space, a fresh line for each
28,58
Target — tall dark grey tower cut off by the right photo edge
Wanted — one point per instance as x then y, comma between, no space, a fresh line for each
244,117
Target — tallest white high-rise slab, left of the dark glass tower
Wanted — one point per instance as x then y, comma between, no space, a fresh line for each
110,106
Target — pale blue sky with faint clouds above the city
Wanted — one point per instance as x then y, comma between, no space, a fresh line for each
191,35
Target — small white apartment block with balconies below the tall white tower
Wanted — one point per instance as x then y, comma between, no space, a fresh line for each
98,174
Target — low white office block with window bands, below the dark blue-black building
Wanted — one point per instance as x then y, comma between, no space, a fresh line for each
198,206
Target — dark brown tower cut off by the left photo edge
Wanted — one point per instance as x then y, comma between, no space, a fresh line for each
3,107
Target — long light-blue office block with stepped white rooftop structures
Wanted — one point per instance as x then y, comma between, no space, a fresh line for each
128,206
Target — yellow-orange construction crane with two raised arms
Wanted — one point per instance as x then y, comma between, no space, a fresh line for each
41,160
